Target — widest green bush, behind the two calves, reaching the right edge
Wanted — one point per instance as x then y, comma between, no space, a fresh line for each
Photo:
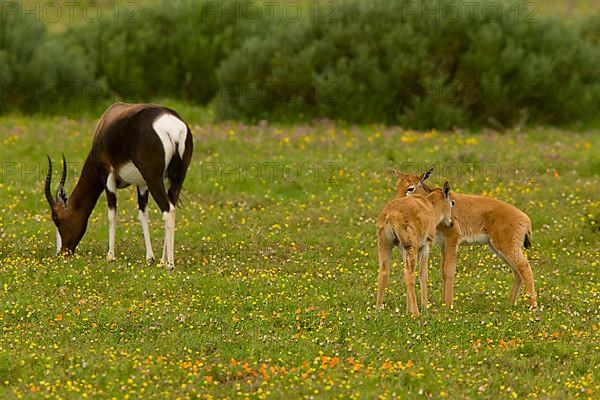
378,62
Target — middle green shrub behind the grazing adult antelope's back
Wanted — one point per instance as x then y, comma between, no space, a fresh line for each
169,49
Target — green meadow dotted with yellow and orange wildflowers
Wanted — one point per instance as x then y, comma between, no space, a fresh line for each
274,287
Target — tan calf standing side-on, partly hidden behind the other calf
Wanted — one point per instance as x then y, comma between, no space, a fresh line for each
479,220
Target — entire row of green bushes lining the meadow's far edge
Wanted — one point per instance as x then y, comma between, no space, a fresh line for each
376,61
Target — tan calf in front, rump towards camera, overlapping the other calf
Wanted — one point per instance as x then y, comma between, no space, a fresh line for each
410,223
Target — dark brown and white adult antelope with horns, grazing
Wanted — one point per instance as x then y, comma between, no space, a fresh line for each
134,144
